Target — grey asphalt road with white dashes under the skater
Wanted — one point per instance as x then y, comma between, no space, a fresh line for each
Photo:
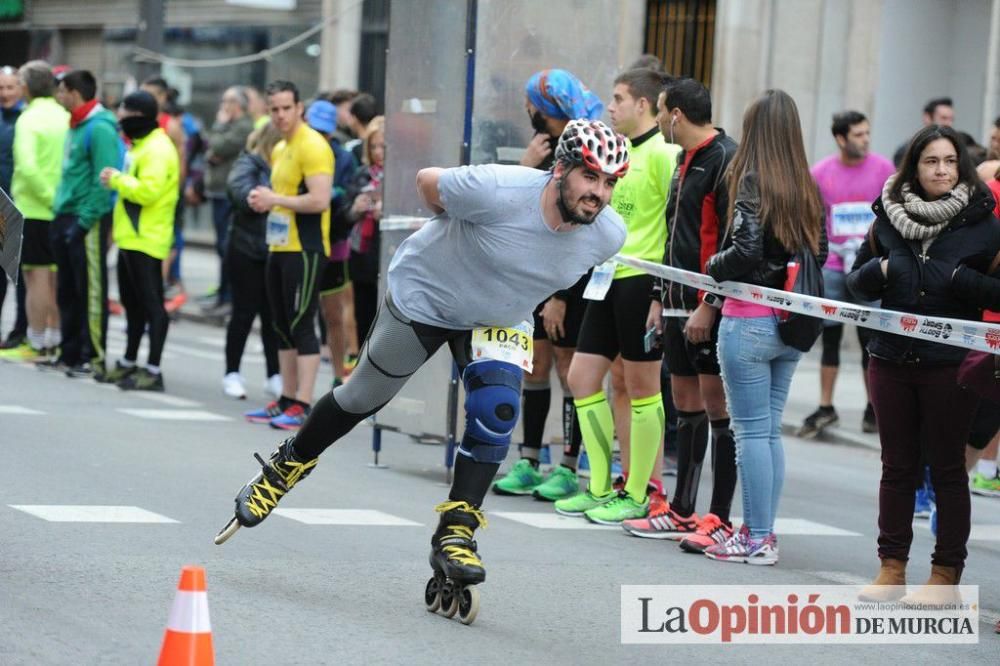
75,592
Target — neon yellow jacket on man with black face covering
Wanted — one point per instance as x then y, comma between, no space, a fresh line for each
148,189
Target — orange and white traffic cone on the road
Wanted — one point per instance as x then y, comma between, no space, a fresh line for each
188,641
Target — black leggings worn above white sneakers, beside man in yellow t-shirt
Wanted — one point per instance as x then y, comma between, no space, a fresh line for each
247,280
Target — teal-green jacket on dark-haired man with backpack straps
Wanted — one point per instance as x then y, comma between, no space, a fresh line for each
91,146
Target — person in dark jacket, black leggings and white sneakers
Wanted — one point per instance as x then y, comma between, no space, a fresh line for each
246,258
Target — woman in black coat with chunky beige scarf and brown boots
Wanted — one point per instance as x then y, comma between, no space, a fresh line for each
934,215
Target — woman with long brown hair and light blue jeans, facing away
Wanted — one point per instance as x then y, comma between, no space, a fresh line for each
776,209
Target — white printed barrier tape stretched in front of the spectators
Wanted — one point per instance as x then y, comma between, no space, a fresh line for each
980,336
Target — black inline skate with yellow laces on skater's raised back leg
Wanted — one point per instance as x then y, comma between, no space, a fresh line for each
261,495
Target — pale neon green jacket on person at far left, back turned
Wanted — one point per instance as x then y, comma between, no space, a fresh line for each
38,152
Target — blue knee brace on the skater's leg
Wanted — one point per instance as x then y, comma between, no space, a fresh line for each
492,405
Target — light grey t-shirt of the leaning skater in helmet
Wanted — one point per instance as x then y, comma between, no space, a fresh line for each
489,259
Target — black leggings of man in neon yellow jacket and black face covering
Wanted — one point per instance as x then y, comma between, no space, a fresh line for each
140,286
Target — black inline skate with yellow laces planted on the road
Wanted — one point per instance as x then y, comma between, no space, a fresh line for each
457,567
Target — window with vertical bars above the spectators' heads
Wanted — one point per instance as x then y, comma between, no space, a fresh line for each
682,34
